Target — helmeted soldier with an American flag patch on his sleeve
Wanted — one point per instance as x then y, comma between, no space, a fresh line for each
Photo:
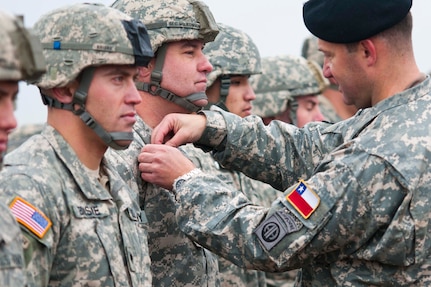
80,222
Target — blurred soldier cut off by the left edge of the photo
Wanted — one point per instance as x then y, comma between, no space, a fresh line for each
21,58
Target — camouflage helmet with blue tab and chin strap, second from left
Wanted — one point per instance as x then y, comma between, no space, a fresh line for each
78,38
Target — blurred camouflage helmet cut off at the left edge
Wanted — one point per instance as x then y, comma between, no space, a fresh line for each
21,55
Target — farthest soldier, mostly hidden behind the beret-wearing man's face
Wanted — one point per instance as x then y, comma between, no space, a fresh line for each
332,105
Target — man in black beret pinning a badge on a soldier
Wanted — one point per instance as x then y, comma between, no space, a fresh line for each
361,216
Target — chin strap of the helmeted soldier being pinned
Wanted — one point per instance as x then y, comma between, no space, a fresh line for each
154,88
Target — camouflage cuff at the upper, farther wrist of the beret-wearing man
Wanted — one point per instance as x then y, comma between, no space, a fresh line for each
214,135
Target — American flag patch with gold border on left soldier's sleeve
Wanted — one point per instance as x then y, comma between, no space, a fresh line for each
29,216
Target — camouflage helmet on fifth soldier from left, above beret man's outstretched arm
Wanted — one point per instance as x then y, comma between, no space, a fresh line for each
283,79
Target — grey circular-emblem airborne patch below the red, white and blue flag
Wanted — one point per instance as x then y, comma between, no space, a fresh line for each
276,227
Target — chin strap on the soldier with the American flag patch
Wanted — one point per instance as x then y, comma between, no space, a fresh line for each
79,99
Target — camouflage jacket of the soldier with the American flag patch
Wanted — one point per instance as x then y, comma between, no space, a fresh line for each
97,235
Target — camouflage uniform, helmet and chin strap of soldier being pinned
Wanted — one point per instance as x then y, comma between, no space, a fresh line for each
176,260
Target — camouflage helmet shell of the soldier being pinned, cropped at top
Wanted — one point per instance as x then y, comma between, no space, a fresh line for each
172,20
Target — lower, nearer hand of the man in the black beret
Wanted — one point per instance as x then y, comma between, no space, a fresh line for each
162,164
